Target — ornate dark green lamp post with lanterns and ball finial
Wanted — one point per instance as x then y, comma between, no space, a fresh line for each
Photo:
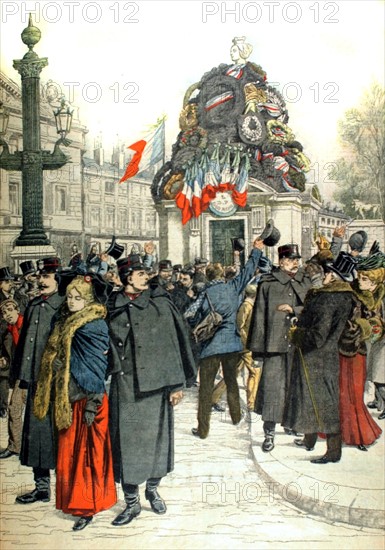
32,160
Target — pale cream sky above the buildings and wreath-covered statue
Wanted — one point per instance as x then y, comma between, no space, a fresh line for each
124,64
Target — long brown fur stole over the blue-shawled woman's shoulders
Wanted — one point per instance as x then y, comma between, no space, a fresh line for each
59,347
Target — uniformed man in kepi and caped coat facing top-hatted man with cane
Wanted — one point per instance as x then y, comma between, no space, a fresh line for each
280,297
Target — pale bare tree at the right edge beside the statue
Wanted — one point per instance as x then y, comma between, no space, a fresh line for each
360,174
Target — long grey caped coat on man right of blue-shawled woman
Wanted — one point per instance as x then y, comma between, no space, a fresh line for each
150,356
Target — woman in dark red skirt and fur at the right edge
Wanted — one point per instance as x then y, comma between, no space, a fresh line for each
357,426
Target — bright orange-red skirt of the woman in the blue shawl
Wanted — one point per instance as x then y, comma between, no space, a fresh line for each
84,475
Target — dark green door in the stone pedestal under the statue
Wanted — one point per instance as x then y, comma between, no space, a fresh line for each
221,233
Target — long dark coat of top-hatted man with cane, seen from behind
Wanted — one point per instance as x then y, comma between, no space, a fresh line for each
320,326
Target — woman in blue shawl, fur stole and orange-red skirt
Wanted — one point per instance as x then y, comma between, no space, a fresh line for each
75,364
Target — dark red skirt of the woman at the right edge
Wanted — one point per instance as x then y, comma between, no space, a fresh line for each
357,425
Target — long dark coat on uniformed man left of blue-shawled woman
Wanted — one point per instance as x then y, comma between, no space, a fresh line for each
38,446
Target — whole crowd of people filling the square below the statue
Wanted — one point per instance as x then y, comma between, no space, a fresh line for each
94,358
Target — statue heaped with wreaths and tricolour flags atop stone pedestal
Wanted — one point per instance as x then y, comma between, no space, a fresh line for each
233,125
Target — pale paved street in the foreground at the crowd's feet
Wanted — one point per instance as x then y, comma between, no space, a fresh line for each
216,498
